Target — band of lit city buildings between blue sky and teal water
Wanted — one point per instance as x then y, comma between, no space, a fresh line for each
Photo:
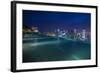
76,34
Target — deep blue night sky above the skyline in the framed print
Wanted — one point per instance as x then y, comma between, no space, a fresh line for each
48,21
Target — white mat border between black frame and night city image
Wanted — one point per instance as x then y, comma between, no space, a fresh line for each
38,65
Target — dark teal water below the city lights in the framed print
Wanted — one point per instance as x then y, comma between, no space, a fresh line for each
40,48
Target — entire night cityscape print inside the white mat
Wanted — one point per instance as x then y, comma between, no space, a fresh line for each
56,36
